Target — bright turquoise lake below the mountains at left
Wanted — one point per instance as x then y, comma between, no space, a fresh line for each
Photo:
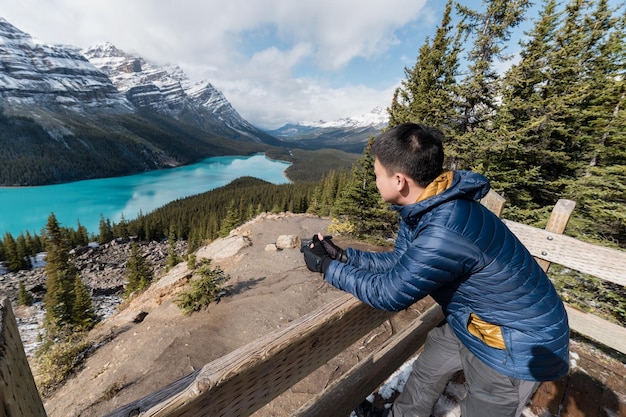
27,208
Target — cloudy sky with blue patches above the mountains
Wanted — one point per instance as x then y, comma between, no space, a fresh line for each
276,61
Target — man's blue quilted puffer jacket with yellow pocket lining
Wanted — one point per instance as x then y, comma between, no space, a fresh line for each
451,247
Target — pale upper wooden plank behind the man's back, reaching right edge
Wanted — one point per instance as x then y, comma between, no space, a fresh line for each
605,263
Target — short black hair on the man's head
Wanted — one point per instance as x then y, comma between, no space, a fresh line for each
412,149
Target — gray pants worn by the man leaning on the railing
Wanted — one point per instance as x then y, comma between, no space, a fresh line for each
489,393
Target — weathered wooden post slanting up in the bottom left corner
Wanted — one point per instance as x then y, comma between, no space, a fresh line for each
18,393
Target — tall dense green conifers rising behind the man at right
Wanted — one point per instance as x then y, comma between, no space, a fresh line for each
552,126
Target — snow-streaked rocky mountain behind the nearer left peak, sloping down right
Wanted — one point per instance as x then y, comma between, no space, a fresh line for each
168,91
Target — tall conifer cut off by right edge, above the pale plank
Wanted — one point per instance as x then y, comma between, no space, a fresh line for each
599,185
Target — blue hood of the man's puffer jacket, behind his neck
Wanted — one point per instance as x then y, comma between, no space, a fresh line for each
465,185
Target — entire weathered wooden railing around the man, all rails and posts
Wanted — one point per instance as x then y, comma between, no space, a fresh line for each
245,380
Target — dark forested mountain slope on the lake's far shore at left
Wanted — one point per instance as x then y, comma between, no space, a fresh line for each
30,155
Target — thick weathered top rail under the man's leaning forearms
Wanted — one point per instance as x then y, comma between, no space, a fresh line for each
243,381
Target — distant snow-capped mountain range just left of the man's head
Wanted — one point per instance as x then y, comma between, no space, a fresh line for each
349,134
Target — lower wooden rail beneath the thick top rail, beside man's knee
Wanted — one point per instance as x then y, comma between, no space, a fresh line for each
341,397
